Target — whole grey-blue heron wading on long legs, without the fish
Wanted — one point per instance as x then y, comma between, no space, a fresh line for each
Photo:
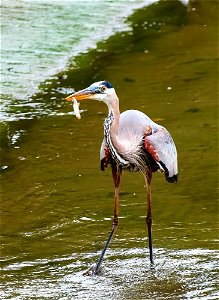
133,142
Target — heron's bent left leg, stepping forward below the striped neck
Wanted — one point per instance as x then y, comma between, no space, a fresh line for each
116,178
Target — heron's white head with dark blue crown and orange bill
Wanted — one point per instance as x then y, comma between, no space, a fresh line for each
101,91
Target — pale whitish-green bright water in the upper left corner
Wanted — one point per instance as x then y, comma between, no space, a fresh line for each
41,37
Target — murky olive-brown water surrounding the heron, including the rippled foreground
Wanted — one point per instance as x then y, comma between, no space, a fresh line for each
57,205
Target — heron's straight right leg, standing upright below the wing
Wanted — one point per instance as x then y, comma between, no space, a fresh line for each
148,178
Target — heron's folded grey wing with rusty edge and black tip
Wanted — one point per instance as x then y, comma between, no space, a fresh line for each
162,148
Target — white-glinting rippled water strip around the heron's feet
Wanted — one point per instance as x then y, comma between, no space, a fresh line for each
177,274
